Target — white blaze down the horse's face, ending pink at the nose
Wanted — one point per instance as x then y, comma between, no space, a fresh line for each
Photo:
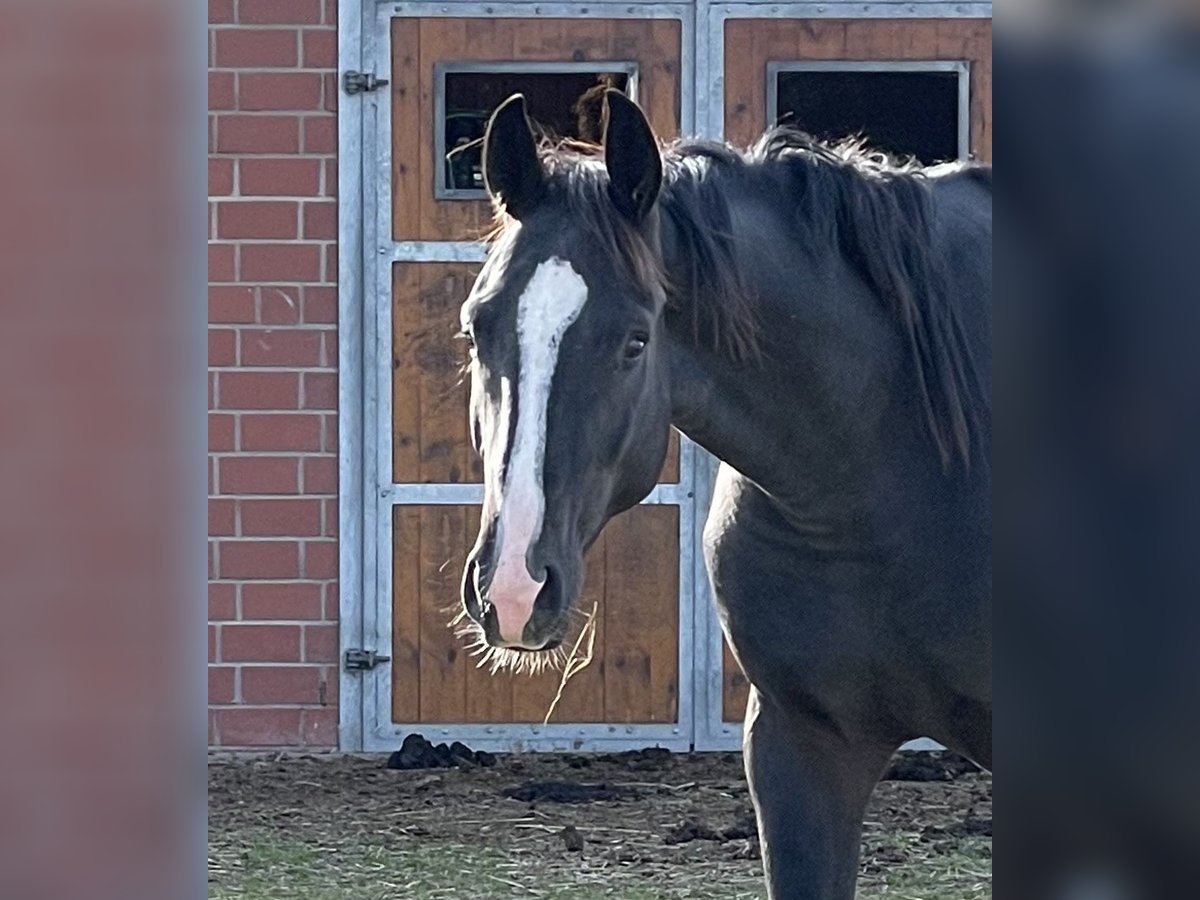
551,302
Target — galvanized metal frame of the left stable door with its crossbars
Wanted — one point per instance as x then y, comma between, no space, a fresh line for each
373,729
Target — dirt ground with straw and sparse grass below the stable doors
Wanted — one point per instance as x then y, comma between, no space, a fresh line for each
631,827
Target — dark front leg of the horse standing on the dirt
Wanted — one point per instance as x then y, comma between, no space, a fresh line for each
811,790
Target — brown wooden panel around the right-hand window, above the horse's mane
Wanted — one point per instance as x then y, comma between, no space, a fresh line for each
752,44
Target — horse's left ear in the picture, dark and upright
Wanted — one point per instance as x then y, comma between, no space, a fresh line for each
512,171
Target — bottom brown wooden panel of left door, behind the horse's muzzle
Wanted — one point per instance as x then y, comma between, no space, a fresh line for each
633,578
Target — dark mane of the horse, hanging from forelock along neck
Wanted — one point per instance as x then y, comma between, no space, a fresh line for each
878,211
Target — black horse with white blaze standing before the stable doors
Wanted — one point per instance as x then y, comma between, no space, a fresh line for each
819,319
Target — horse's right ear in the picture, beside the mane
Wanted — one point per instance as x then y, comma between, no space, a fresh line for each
632,155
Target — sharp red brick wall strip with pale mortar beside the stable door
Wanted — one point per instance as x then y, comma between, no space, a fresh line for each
273,374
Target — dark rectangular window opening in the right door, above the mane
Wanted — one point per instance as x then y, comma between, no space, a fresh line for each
908,113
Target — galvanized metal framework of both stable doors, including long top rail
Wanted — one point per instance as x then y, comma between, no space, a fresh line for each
365,256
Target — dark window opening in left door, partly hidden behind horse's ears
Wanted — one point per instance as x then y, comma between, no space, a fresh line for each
565,104
